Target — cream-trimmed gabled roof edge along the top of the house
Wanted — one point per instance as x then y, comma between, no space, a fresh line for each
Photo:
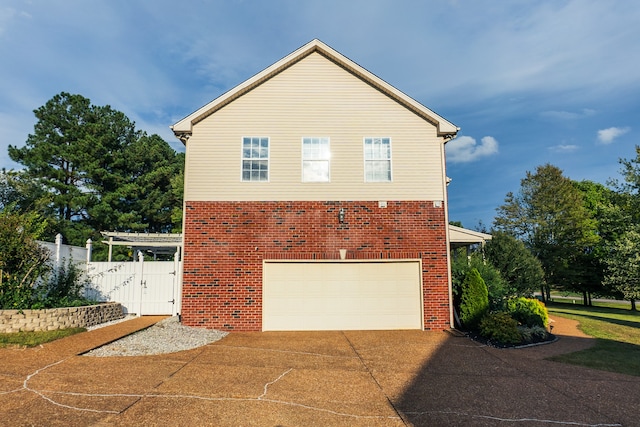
183,128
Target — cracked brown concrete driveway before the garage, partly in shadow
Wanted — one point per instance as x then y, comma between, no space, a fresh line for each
394,378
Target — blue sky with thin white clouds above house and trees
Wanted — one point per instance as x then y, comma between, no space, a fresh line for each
528,82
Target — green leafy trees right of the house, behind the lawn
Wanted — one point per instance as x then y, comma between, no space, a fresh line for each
584,234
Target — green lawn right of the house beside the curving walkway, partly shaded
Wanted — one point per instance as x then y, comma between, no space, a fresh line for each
617,333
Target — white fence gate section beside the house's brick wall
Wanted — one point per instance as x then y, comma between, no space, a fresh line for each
143,288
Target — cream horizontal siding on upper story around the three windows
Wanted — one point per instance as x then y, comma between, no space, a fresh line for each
313,97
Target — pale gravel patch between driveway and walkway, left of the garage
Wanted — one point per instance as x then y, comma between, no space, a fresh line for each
166,336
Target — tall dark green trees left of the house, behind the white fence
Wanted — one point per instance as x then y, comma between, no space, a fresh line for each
87,169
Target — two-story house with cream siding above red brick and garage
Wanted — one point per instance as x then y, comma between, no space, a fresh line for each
315,199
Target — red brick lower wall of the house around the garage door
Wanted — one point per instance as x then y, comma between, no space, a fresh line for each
226,242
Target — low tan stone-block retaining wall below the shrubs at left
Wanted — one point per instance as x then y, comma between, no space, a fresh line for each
59,318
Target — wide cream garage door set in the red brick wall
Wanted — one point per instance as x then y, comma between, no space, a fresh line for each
307,296
